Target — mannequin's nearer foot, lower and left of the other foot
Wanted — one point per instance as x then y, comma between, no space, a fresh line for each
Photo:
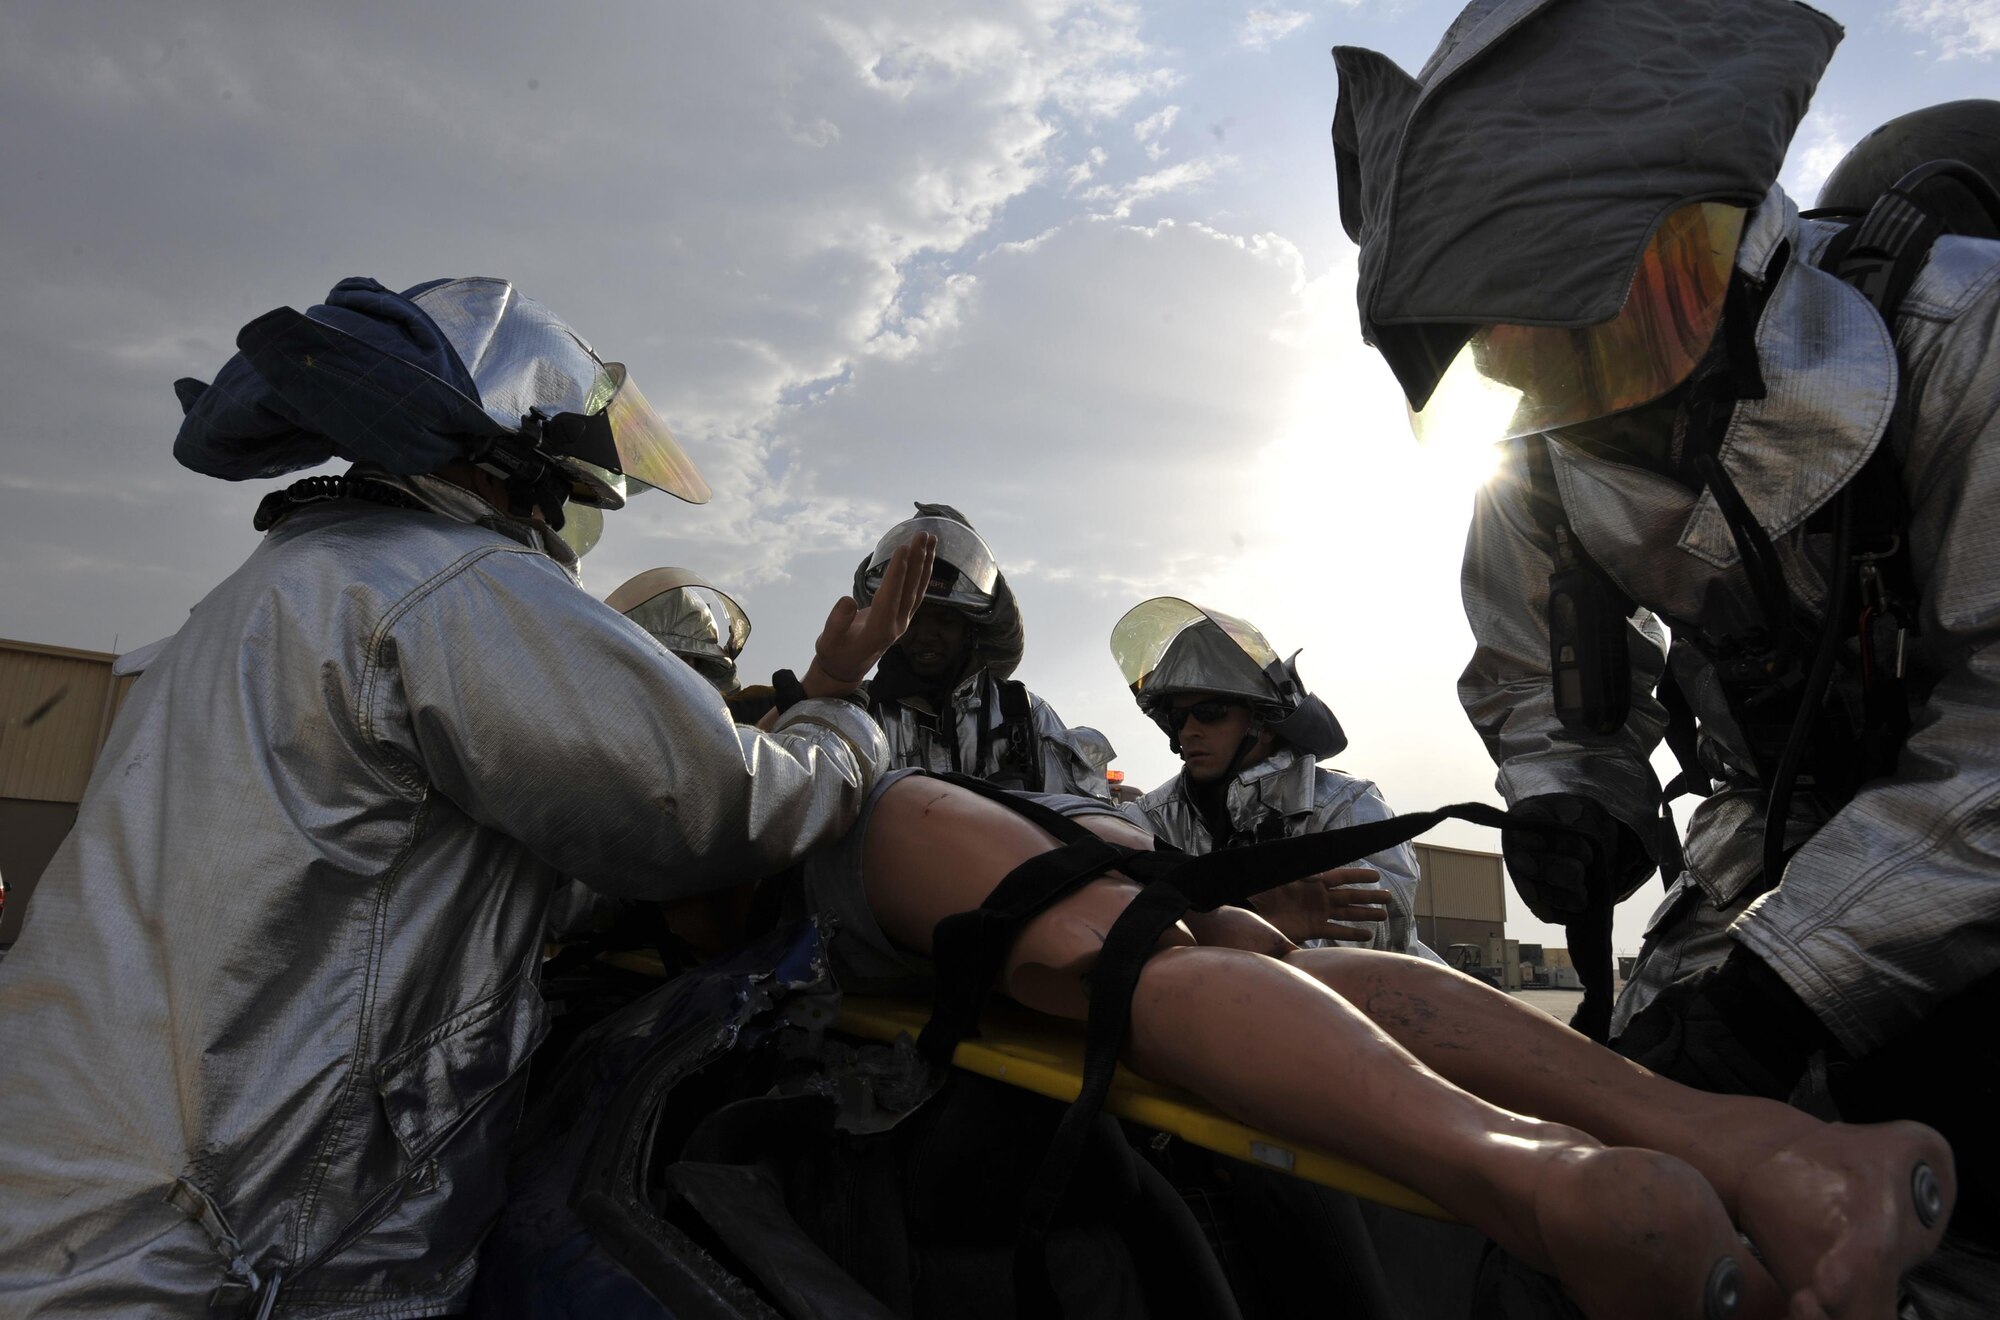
1637,1235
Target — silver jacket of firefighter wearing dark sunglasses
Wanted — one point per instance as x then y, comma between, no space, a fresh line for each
1283,797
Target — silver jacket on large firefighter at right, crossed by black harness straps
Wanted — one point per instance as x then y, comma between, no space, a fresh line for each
1893,905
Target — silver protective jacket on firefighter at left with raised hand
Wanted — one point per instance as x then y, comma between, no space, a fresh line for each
267,1023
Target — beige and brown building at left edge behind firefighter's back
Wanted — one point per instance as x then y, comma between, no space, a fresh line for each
57,705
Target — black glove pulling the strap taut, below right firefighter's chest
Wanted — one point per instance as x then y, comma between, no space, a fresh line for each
1557,869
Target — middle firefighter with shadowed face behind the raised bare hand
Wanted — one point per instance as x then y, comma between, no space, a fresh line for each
947,695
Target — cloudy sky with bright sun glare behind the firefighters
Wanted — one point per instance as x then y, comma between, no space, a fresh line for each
1069,265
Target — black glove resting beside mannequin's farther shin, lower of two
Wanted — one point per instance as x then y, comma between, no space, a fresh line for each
1735,1029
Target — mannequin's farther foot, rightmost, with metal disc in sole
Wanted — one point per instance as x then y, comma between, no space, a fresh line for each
1841,1215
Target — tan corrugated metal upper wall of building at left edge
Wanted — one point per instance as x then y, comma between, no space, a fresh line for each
71,699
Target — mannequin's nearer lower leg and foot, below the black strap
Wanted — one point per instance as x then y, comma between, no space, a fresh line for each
1631,1233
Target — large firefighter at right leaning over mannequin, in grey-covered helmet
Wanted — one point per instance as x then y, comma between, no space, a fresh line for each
1775,441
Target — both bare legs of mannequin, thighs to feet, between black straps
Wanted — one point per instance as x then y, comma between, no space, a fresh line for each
1631,1233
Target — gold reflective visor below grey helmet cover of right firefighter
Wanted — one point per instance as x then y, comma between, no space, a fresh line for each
1519,381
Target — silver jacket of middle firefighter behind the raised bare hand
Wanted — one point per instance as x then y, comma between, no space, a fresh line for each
967,737
